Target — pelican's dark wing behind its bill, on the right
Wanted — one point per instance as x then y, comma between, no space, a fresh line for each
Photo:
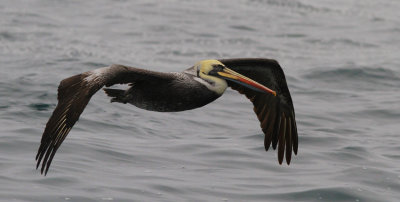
276,114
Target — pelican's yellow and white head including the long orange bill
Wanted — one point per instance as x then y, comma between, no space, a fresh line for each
213,74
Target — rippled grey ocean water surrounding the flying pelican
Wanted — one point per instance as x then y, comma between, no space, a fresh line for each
342,64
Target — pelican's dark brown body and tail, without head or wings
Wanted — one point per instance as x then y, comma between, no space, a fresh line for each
180,92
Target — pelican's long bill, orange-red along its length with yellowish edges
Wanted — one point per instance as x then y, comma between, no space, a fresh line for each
238,78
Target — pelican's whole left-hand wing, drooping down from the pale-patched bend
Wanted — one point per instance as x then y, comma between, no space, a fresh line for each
74,94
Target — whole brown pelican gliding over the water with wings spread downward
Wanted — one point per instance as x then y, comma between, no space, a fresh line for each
179,91
